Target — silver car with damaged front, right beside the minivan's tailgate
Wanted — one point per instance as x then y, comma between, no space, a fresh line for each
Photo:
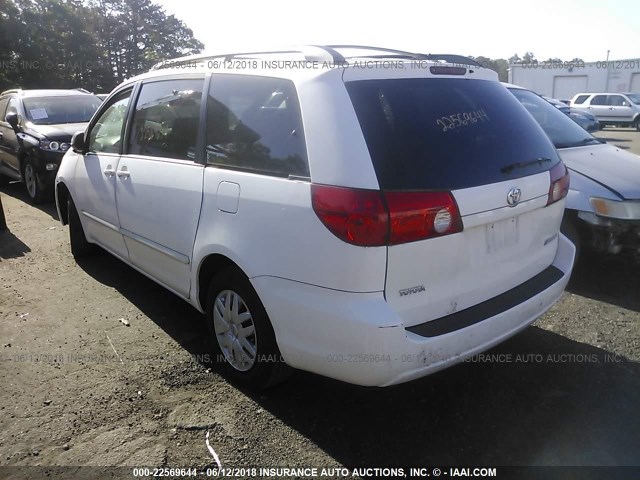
603,205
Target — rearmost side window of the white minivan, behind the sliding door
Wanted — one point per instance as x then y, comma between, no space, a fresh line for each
254,124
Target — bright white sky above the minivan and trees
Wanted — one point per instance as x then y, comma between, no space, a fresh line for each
565,29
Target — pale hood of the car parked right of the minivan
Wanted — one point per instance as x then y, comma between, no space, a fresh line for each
608,165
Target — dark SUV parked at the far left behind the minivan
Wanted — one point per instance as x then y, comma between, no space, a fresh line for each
35,131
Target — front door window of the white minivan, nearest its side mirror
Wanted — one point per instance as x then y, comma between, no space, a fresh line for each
106,134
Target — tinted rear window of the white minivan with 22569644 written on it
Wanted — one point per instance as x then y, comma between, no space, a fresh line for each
447,134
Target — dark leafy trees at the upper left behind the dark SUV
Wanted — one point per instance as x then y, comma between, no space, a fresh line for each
94,44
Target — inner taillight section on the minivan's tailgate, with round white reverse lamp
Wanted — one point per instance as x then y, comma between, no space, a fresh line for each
419,215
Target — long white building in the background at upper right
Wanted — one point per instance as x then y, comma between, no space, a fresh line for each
563,80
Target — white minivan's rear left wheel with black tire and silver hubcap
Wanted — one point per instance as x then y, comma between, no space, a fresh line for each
241,336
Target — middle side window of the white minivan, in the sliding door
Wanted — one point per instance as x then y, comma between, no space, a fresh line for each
166,119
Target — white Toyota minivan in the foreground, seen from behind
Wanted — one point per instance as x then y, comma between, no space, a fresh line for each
372,225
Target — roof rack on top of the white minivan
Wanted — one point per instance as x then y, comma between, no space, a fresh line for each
327,53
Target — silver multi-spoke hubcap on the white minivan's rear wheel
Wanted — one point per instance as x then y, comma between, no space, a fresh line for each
235,330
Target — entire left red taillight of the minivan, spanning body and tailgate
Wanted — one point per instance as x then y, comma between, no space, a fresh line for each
373,218
